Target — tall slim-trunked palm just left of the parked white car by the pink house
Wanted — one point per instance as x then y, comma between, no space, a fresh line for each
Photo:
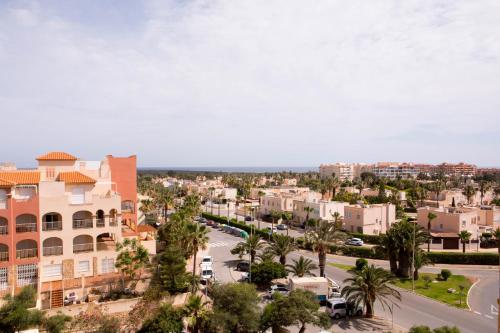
321,238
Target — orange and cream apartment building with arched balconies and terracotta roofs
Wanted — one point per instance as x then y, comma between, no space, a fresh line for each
60,222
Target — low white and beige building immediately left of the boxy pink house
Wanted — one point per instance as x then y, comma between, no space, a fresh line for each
321,210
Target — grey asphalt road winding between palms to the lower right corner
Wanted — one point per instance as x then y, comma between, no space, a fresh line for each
412,310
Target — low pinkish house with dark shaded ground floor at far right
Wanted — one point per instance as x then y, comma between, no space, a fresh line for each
449,222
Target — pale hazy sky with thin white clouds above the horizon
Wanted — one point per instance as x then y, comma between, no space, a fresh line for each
251,82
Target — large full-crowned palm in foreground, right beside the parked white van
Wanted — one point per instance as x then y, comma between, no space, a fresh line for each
369,285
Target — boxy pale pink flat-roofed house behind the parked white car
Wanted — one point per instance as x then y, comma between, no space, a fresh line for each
369,219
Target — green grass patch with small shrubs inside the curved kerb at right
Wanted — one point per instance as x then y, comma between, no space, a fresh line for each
439,290
